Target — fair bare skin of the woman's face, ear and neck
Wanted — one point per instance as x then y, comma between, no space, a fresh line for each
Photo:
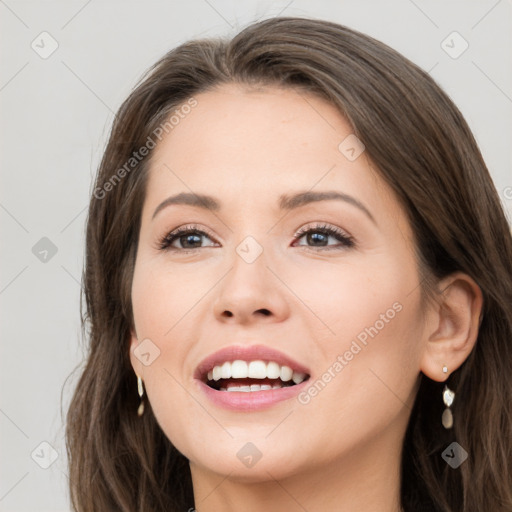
308,297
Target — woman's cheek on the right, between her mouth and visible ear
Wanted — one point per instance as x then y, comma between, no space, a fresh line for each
371,316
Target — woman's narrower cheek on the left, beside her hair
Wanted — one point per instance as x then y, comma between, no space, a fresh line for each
160,303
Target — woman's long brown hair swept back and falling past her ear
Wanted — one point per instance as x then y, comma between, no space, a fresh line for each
422,147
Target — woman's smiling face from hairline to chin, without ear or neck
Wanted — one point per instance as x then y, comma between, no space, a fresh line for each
344,304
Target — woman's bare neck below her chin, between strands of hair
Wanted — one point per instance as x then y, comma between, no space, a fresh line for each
365,480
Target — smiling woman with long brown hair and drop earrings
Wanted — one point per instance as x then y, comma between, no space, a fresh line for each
298,287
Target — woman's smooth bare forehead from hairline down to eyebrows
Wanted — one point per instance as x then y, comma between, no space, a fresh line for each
245,144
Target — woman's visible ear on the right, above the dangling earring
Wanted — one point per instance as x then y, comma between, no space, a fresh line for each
452,326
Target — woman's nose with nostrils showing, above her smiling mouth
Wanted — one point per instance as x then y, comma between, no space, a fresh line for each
249,293
